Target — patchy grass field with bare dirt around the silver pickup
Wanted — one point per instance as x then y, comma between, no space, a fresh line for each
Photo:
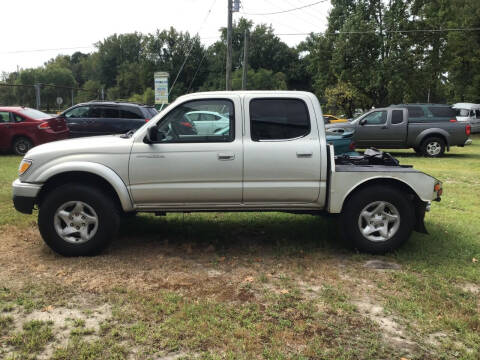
263,285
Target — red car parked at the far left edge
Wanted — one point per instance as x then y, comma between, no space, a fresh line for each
22,128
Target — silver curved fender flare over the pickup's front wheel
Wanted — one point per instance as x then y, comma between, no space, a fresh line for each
96,169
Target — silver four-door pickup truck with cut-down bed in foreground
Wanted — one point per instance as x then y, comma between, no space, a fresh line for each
272,156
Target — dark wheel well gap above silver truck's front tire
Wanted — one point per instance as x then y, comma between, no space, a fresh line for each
78,177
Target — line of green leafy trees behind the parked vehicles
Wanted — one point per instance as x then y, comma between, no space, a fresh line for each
373,53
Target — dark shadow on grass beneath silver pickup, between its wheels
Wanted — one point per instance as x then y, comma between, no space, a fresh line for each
232,233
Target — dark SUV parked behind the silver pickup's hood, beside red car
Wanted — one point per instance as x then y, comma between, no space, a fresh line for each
103,118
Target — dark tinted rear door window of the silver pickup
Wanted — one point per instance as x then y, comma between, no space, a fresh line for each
278,119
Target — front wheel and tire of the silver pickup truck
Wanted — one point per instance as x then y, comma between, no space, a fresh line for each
80,204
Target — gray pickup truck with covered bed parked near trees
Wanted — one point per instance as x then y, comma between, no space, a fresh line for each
427,128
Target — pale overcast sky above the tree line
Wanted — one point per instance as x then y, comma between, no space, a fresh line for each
35,31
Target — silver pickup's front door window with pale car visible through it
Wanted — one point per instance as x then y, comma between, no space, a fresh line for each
179,126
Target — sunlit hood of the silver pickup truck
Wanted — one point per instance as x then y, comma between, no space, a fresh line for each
109,144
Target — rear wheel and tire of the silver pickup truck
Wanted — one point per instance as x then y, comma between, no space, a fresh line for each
364,211
